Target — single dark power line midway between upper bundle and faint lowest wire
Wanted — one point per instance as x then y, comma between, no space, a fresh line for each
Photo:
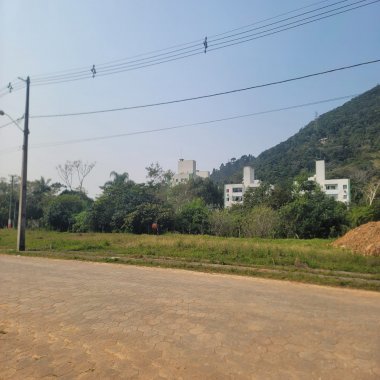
208,95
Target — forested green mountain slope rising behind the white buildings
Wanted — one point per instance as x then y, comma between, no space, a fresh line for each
347,138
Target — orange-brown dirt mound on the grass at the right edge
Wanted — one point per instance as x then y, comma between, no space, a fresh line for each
364,239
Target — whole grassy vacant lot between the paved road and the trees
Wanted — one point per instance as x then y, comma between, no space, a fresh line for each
313,261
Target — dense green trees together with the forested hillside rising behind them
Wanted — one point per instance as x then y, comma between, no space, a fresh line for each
348,138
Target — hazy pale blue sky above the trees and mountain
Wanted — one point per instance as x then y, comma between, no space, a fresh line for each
41,37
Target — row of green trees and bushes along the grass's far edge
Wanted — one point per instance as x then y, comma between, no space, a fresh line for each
295,210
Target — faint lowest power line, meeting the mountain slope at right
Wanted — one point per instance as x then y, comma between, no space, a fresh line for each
106,137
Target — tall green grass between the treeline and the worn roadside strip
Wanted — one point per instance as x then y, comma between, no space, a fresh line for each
267,253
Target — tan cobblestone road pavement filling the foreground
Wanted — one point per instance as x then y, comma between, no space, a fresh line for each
81,320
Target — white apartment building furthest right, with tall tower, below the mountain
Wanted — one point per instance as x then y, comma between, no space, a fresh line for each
339,189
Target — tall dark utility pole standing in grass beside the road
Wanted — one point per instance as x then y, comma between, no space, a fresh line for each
24,171
